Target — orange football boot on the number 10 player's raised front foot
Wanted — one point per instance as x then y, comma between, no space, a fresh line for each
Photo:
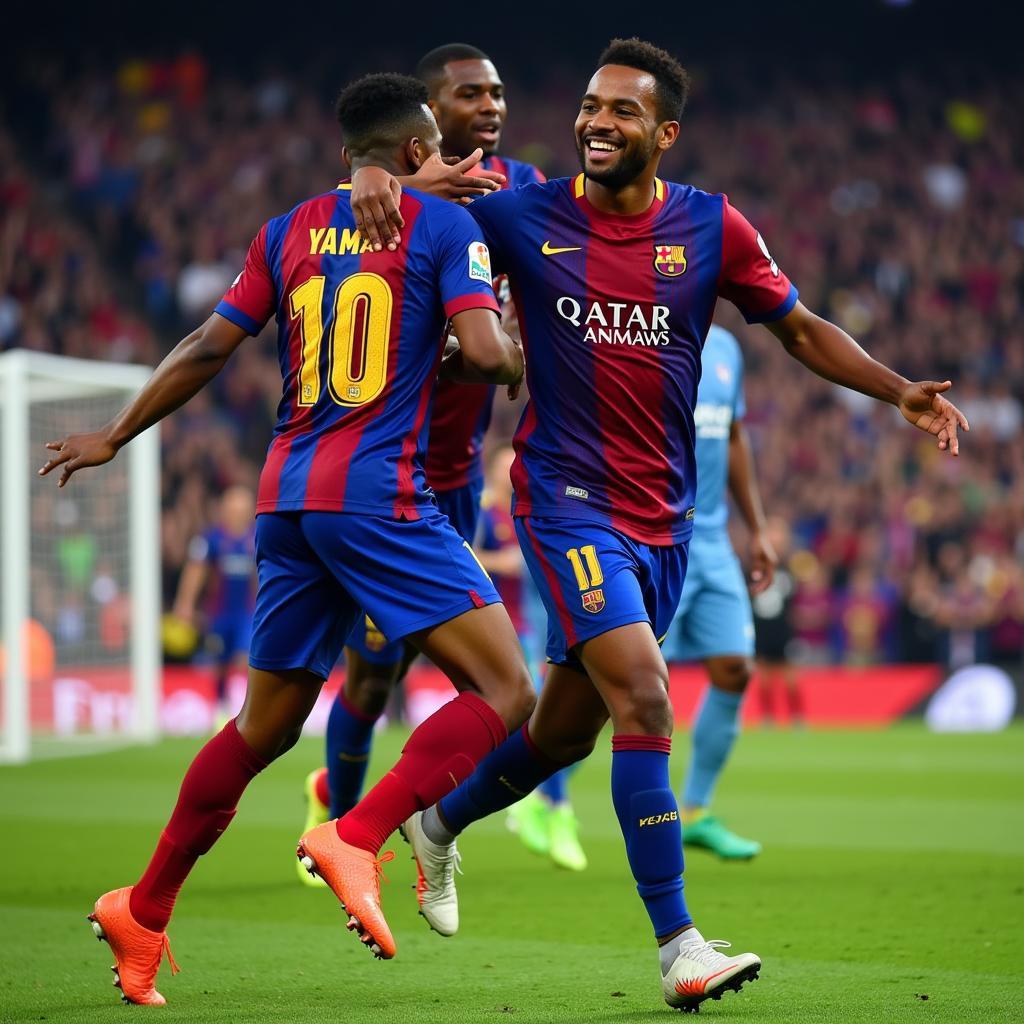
355,876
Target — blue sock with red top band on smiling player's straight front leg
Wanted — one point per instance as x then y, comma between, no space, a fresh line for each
649,817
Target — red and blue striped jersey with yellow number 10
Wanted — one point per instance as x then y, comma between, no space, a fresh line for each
360,339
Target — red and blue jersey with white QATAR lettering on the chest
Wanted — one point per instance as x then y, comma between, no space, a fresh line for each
614,312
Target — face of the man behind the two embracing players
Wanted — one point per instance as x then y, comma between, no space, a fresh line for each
471,109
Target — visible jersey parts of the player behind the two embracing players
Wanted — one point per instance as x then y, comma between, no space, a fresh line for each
462,412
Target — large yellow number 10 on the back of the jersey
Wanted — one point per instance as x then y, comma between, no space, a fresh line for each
361,337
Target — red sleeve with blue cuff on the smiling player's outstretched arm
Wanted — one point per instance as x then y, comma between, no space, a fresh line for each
750,277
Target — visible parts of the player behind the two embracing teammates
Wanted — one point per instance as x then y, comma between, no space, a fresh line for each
467,98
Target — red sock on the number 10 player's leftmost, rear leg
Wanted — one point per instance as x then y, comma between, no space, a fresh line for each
209,796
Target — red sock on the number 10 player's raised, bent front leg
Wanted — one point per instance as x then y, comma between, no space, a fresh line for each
440,755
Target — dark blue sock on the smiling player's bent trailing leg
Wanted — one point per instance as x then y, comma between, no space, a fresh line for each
503,778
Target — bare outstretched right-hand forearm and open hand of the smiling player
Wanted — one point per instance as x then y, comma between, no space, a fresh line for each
832,354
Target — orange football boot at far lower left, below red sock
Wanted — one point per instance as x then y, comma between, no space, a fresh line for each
138,952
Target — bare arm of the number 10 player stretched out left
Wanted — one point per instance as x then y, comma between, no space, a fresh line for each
191,365
